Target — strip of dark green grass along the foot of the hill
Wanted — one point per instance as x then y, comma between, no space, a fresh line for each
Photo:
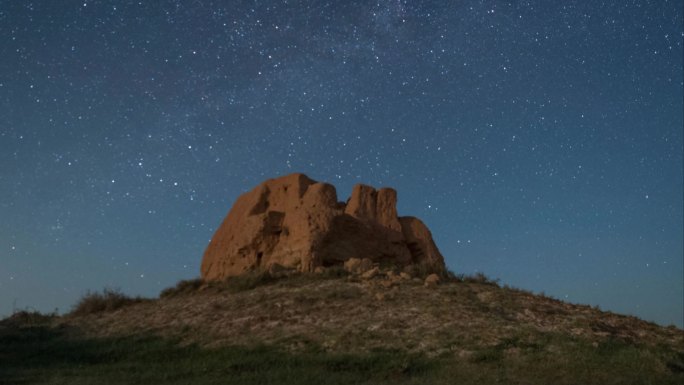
47,355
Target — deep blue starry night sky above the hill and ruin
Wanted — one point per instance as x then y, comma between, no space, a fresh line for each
541,141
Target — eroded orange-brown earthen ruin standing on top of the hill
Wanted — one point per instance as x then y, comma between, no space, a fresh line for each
296,222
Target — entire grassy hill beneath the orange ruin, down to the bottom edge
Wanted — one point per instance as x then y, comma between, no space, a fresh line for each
389,327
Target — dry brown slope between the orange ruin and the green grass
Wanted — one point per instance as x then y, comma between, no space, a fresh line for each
350,314
